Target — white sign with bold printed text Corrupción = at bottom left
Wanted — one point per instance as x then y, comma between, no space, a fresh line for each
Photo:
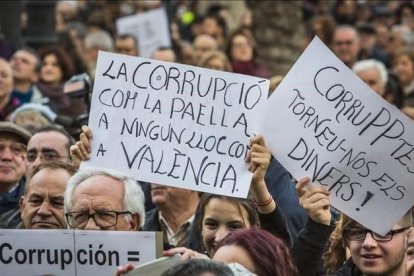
68,252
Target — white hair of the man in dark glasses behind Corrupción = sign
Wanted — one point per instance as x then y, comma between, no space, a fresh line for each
133,195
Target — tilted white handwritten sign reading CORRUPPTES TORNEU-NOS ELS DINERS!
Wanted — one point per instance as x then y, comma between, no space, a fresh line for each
324,122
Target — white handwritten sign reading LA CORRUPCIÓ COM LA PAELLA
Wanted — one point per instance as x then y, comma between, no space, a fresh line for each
174,124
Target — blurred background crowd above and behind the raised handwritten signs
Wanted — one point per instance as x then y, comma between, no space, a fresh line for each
49,48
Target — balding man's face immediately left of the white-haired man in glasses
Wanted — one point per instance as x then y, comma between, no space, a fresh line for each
42,205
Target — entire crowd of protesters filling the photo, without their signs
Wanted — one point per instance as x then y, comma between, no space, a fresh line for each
284,227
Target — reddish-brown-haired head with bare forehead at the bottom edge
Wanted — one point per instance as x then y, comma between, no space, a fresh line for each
258,251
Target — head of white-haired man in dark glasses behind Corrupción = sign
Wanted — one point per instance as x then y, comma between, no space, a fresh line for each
104,199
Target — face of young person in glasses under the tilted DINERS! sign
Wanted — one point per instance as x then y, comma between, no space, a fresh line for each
378,257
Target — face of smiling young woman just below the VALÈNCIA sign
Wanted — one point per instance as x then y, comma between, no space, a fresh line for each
220,218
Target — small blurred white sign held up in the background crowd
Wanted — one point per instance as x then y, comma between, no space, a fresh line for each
150,28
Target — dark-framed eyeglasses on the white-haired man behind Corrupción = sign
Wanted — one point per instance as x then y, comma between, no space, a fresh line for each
103,219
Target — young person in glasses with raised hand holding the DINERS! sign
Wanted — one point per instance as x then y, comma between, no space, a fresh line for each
370,253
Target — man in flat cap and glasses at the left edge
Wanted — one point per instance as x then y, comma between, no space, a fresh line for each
13,141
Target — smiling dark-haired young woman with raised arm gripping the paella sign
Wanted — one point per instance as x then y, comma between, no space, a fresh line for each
217,216
